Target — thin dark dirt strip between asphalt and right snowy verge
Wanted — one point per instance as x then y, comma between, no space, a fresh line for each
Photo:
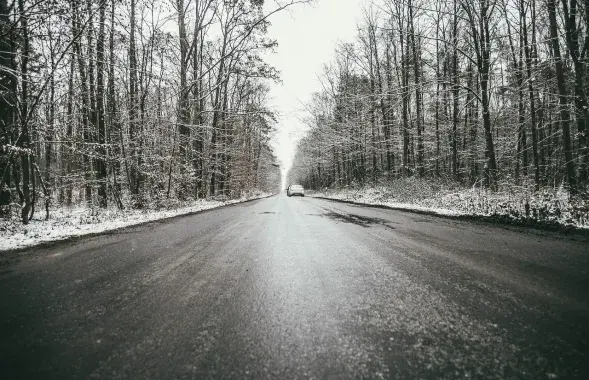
519,225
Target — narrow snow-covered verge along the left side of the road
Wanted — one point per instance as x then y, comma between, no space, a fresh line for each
77,221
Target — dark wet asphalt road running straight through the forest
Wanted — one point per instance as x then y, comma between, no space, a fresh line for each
299,288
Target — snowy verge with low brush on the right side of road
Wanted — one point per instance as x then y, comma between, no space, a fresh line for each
552,207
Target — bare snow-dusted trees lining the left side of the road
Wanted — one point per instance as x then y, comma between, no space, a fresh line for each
132,103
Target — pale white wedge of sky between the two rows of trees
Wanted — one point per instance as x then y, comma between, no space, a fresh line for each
306,35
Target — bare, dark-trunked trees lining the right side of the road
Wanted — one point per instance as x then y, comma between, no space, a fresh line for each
484,92
